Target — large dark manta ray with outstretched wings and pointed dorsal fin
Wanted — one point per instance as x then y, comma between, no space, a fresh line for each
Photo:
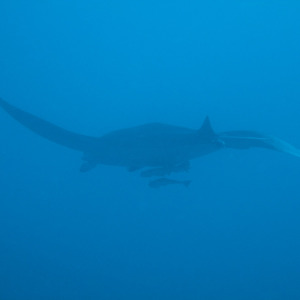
155,149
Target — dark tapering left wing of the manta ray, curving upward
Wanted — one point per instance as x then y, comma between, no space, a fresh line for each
48,130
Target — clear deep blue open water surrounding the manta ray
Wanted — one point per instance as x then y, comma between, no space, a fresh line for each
95,66
